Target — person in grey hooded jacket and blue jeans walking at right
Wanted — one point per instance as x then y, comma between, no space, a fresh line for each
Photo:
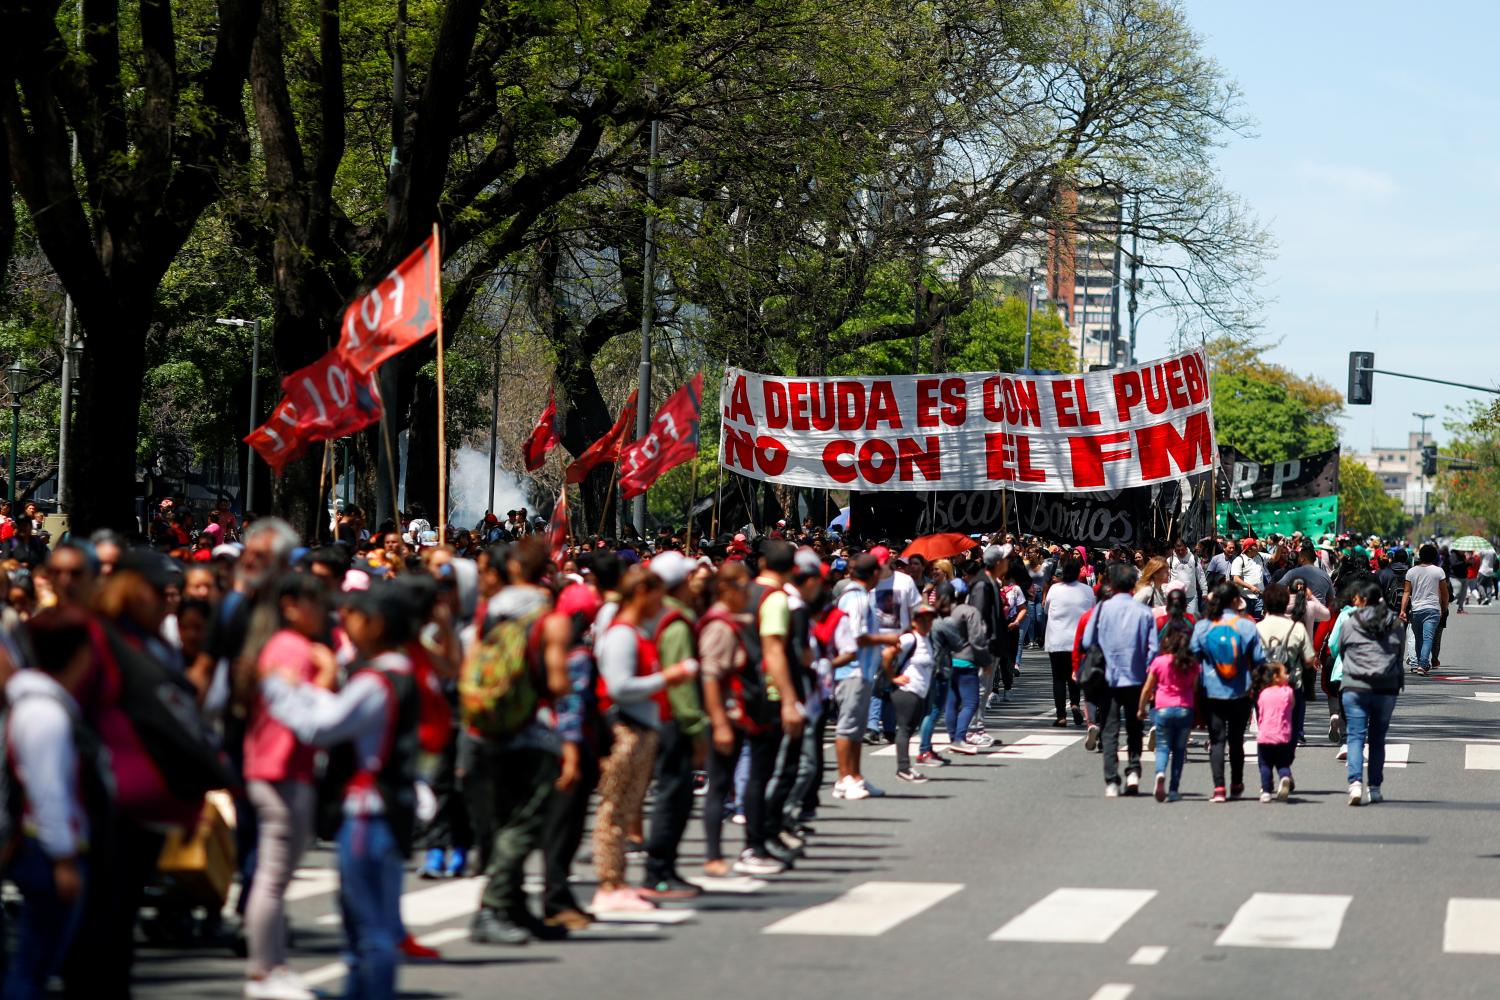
1369,644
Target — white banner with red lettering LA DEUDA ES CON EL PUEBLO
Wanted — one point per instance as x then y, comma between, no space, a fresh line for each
1045,434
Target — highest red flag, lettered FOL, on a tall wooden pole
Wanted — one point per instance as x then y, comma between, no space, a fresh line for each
397,314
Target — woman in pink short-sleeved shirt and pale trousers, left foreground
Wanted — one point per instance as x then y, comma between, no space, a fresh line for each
283,639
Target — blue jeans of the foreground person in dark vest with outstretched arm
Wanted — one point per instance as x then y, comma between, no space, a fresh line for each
371,870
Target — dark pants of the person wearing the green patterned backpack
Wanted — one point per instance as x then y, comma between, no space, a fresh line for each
508,794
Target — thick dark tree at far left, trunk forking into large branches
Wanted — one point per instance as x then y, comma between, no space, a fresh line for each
154,97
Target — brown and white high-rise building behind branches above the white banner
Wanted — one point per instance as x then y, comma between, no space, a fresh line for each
1085,278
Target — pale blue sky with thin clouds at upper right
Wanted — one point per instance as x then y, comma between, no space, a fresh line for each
1376,166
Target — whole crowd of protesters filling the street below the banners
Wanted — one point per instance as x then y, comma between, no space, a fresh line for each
467,701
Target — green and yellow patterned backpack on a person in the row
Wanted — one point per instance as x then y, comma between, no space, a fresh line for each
502,681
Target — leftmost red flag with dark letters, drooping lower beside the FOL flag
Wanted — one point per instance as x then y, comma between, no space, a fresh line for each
328,400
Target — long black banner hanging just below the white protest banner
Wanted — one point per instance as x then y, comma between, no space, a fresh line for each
1100,521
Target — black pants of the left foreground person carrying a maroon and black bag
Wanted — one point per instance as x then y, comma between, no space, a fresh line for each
98,966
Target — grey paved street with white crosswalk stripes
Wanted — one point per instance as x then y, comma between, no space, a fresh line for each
1013,876
